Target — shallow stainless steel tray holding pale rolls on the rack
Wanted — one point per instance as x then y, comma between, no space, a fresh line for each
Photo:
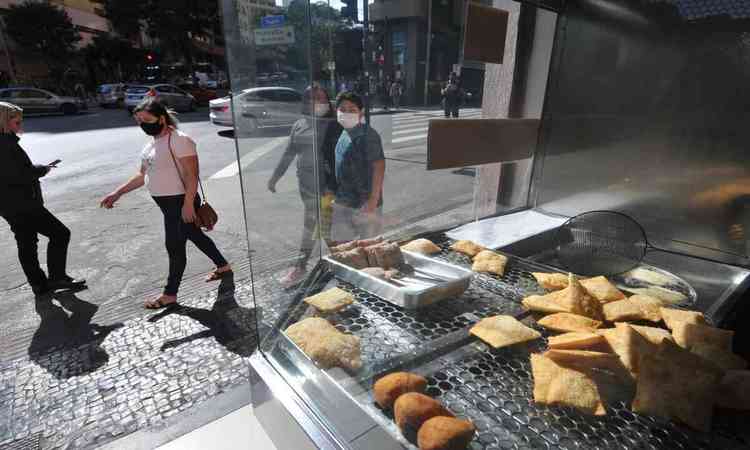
430,281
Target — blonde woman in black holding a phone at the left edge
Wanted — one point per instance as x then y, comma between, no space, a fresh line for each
23,208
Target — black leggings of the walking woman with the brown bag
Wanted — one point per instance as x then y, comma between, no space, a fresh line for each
177,233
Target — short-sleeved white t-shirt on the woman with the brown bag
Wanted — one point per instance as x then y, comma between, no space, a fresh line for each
162,178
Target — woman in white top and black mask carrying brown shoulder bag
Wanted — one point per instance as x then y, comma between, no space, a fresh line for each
174,189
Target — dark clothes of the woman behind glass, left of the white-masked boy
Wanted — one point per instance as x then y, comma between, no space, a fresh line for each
325,134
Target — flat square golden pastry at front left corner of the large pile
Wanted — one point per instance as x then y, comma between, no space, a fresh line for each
558,385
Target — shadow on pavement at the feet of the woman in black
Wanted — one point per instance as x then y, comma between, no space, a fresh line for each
68,345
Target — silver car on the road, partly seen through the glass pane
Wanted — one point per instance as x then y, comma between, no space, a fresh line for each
259,107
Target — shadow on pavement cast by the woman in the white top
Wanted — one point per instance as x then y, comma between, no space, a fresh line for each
231,325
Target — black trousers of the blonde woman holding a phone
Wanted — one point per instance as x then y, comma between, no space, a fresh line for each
27,226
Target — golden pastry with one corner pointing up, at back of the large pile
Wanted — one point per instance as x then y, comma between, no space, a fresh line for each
573,299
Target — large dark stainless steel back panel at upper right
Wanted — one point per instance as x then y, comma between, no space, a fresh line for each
646,113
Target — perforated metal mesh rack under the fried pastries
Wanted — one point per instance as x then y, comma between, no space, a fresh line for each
493,388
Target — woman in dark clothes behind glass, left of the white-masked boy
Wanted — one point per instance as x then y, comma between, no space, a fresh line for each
313,143
